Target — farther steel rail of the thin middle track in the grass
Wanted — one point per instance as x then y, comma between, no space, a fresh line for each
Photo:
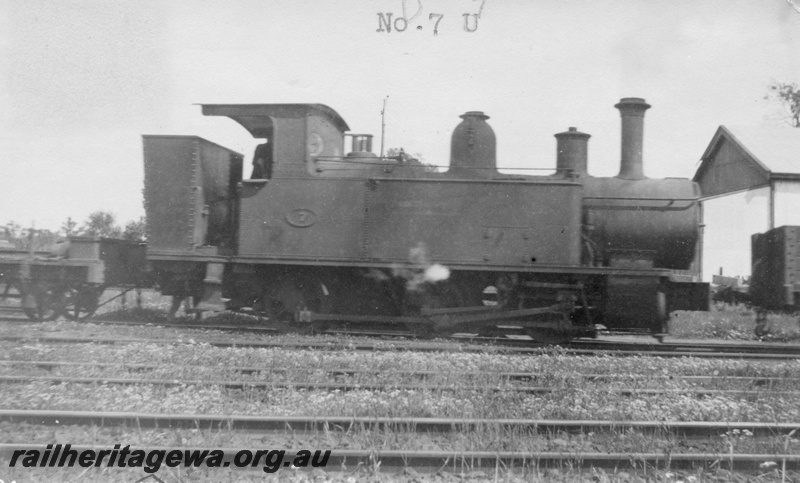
767,381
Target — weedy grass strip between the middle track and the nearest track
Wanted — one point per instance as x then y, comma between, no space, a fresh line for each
594,402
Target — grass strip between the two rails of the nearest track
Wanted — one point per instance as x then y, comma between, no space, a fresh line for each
401,437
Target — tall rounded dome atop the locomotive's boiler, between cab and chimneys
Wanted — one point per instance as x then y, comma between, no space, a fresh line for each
473,147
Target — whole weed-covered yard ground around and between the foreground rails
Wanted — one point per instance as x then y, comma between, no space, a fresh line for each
574,398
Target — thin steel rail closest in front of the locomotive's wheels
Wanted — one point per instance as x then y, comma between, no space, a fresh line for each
381,346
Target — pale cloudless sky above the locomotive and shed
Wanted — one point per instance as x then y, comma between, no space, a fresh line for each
82,80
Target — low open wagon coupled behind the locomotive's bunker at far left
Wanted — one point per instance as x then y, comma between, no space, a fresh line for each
70,278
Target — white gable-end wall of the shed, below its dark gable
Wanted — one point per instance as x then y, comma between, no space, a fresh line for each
729,221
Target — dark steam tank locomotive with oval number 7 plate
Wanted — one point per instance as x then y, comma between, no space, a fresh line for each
319,239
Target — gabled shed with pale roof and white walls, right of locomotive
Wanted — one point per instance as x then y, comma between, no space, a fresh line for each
749,178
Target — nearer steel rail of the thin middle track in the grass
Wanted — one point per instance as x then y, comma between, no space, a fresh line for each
367,386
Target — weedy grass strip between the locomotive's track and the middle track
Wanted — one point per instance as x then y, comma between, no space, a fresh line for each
555,367
